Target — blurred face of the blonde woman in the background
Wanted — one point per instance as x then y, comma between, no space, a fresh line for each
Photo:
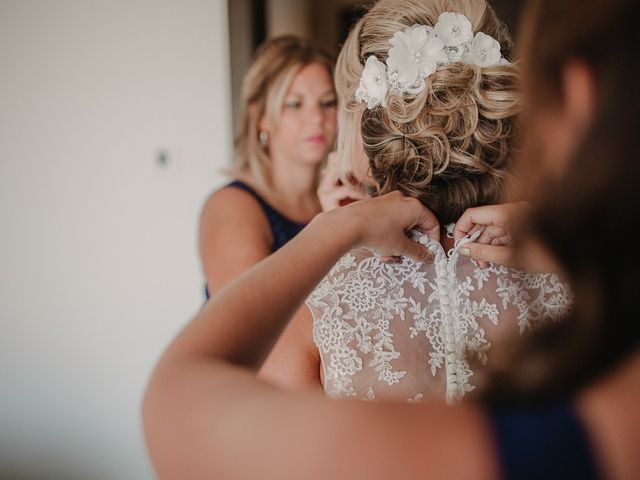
307,128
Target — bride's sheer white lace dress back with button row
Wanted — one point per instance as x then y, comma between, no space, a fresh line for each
409,331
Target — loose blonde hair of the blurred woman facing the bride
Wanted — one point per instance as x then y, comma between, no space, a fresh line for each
264,88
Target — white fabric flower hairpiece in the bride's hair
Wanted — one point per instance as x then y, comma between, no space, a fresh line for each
418,50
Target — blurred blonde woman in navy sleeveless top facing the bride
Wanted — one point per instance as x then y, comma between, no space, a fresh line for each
287,127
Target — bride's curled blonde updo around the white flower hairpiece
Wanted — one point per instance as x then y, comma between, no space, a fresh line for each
450,145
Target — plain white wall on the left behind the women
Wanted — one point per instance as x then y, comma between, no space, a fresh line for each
98,260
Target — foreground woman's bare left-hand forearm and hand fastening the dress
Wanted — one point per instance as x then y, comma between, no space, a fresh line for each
242,322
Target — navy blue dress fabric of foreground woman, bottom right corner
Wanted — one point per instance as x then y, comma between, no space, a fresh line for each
547,442
